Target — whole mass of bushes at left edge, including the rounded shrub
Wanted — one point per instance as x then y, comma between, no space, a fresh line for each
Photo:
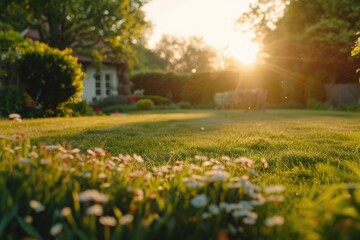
37,80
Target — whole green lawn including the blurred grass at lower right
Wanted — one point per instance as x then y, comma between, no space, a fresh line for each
311,153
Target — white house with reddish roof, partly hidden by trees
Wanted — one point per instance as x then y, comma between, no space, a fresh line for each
109,81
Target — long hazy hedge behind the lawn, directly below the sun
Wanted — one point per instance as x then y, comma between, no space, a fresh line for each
200,88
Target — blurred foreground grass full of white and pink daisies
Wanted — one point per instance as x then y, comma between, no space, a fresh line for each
49,191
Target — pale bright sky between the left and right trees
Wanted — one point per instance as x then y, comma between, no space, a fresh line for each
214,20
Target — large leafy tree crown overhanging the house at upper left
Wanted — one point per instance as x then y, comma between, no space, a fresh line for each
79,24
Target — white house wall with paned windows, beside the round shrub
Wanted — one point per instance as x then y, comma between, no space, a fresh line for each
92,92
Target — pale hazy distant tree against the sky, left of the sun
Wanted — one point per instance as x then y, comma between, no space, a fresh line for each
186,55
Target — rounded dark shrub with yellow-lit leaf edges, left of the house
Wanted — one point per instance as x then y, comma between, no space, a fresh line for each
51,77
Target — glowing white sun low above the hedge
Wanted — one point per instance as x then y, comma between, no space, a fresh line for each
244,50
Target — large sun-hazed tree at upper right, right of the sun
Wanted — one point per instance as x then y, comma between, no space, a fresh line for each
309,42
